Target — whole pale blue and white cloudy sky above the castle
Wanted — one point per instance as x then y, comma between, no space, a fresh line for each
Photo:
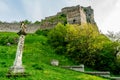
106,12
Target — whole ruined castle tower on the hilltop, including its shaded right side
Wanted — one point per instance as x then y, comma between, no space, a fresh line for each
79,15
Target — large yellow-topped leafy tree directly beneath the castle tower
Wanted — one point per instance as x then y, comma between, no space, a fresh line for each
82,43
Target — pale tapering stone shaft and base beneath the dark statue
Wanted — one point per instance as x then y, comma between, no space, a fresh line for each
17,66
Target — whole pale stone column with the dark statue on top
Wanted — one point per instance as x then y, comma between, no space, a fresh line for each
17,66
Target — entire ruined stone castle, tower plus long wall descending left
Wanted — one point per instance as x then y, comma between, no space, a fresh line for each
74,15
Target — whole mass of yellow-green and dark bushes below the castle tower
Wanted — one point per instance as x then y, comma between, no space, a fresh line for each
85,44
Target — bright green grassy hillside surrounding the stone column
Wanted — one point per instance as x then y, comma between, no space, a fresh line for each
36,60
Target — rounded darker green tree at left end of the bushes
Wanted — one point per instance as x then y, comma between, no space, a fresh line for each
56,37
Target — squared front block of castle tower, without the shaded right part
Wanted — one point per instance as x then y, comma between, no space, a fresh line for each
75,14
